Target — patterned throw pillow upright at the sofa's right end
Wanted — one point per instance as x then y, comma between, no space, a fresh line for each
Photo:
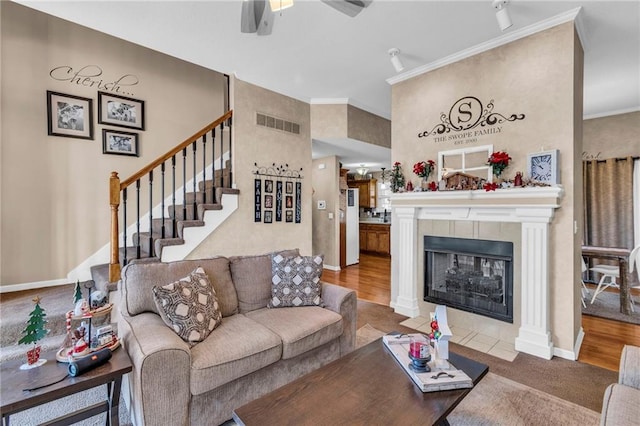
296,281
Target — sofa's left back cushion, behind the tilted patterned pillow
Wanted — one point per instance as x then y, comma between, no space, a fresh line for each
138,280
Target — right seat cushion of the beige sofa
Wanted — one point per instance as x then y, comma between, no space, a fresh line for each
301,329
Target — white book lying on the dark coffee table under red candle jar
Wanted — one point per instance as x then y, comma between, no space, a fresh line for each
443,374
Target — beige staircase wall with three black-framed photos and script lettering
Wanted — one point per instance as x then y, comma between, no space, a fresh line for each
54,192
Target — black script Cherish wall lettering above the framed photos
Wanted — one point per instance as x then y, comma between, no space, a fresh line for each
90,76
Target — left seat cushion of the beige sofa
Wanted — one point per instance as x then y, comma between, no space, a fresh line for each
237,347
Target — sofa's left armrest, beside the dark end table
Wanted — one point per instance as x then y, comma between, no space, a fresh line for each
160,380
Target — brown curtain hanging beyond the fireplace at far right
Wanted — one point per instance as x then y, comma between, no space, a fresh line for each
609,203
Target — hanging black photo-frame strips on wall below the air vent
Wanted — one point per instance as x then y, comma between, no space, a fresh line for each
269,207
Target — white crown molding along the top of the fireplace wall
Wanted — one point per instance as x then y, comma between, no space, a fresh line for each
571,15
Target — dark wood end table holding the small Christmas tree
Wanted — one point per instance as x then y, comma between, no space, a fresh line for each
13,397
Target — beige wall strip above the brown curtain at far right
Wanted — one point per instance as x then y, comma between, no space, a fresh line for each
612,137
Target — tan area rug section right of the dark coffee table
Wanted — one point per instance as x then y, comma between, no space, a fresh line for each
500,401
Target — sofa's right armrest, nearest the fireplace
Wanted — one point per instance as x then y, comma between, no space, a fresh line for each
344,302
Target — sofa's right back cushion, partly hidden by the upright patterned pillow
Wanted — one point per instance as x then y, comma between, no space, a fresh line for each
252,279
